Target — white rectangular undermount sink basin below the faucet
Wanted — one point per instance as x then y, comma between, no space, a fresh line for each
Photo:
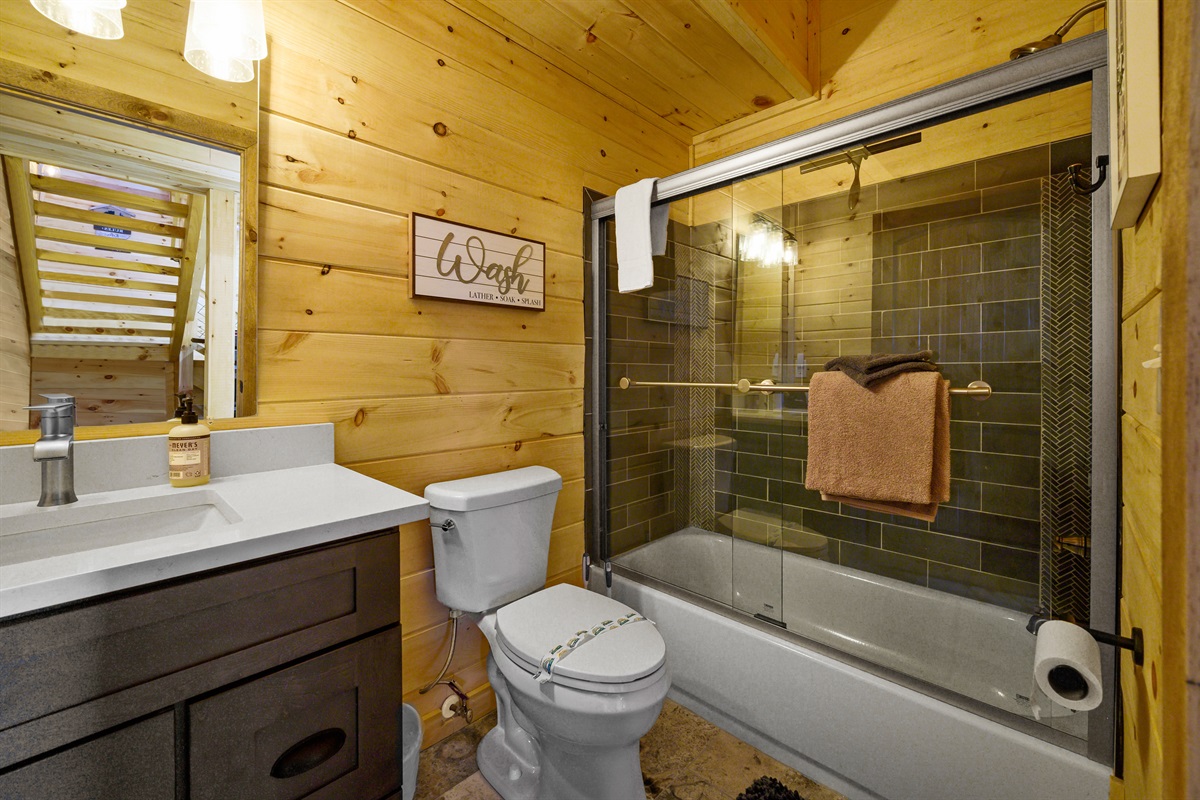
35,534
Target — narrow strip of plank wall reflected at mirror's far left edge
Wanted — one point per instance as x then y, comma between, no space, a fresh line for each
14,328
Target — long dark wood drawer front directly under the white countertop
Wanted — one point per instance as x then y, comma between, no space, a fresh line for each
153,648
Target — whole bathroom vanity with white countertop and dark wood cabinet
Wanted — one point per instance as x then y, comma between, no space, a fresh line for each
257,658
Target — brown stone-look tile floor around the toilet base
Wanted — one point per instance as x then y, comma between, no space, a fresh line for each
683,759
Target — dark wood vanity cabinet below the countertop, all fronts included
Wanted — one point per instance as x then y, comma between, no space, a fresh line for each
275,679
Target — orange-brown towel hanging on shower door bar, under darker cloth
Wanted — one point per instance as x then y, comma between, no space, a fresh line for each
889,444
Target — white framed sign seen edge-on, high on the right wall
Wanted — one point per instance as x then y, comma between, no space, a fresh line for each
1135,130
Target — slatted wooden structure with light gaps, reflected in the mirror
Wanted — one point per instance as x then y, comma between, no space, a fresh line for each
106,263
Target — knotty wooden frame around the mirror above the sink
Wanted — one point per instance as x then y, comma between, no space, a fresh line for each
23,81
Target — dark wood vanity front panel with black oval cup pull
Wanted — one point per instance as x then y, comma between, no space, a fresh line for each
326,729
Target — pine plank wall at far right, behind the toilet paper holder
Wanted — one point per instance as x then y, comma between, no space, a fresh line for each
1161,459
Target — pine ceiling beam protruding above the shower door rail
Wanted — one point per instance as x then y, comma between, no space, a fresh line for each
776,33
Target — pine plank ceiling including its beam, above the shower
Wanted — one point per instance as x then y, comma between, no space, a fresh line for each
688,65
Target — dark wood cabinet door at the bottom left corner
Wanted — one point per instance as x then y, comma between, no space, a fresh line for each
134,763
